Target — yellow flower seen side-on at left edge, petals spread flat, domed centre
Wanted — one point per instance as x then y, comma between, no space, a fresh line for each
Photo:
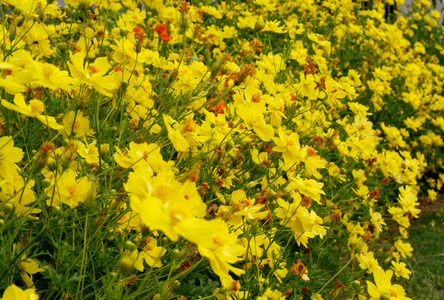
33,110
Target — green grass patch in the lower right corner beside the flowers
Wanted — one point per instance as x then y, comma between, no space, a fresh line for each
427,262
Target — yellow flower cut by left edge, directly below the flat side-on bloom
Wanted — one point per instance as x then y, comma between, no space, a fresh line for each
9,155
